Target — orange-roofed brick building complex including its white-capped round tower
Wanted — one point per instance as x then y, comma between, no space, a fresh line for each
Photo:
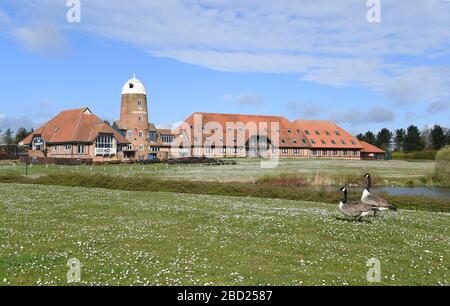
81,134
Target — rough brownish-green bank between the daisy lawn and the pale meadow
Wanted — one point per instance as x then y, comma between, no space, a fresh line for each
261,189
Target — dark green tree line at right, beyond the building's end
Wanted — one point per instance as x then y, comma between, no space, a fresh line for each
409,140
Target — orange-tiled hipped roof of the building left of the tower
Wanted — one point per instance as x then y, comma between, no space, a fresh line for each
72,126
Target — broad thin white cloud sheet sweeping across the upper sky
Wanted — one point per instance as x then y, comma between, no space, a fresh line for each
326,42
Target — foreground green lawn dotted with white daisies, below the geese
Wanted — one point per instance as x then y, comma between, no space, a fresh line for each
124,237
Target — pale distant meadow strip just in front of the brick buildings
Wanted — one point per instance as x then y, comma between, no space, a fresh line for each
249,170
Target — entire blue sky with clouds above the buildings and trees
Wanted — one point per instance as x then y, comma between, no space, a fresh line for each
299,59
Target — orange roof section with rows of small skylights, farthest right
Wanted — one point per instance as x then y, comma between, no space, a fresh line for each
326,134
